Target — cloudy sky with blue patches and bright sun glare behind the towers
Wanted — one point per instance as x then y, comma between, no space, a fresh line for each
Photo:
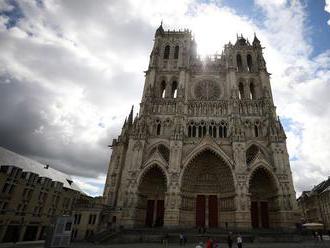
70,70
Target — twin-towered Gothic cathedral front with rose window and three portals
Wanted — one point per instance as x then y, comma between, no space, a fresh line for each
207,148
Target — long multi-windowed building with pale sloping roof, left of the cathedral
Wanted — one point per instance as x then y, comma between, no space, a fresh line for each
31,195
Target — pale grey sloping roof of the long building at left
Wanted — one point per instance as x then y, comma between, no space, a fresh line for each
9,158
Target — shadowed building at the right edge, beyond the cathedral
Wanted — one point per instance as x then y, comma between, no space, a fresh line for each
314,205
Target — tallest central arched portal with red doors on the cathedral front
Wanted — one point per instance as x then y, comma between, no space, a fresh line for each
207,180
